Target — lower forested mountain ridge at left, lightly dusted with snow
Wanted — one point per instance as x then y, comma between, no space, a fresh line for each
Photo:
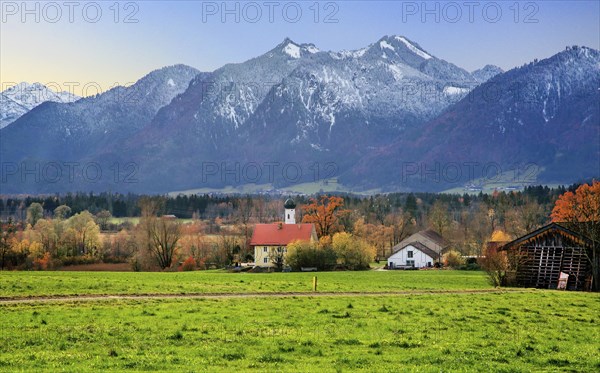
85,129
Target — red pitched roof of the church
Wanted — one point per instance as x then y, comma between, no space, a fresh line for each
279,234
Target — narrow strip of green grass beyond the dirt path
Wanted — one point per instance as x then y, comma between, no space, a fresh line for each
71,283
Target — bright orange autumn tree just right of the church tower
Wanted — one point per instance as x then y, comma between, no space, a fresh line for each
324,213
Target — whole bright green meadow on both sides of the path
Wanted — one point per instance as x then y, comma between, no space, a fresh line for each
525,330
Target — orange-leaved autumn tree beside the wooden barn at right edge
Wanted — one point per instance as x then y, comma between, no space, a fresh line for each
580,211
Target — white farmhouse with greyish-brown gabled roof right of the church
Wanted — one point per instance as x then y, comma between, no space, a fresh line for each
422,249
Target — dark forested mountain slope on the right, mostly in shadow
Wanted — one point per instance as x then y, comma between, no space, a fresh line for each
539,120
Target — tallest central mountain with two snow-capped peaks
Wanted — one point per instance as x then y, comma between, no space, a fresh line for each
300,100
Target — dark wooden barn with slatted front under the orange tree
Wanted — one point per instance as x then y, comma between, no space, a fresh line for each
549,253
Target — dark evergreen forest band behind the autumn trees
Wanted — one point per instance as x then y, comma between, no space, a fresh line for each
211,206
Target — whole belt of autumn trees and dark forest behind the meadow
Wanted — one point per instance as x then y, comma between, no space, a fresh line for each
49,231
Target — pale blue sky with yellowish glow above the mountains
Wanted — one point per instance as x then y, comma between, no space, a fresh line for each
90,46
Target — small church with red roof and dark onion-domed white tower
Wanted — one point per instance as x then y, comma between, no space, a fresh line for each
270,240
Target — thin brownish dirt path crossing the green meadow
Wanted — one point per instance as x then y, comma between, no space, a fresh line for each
100,297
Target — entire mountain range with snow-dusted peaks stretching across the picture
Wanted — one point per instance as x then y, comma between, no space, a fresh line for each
367,111
